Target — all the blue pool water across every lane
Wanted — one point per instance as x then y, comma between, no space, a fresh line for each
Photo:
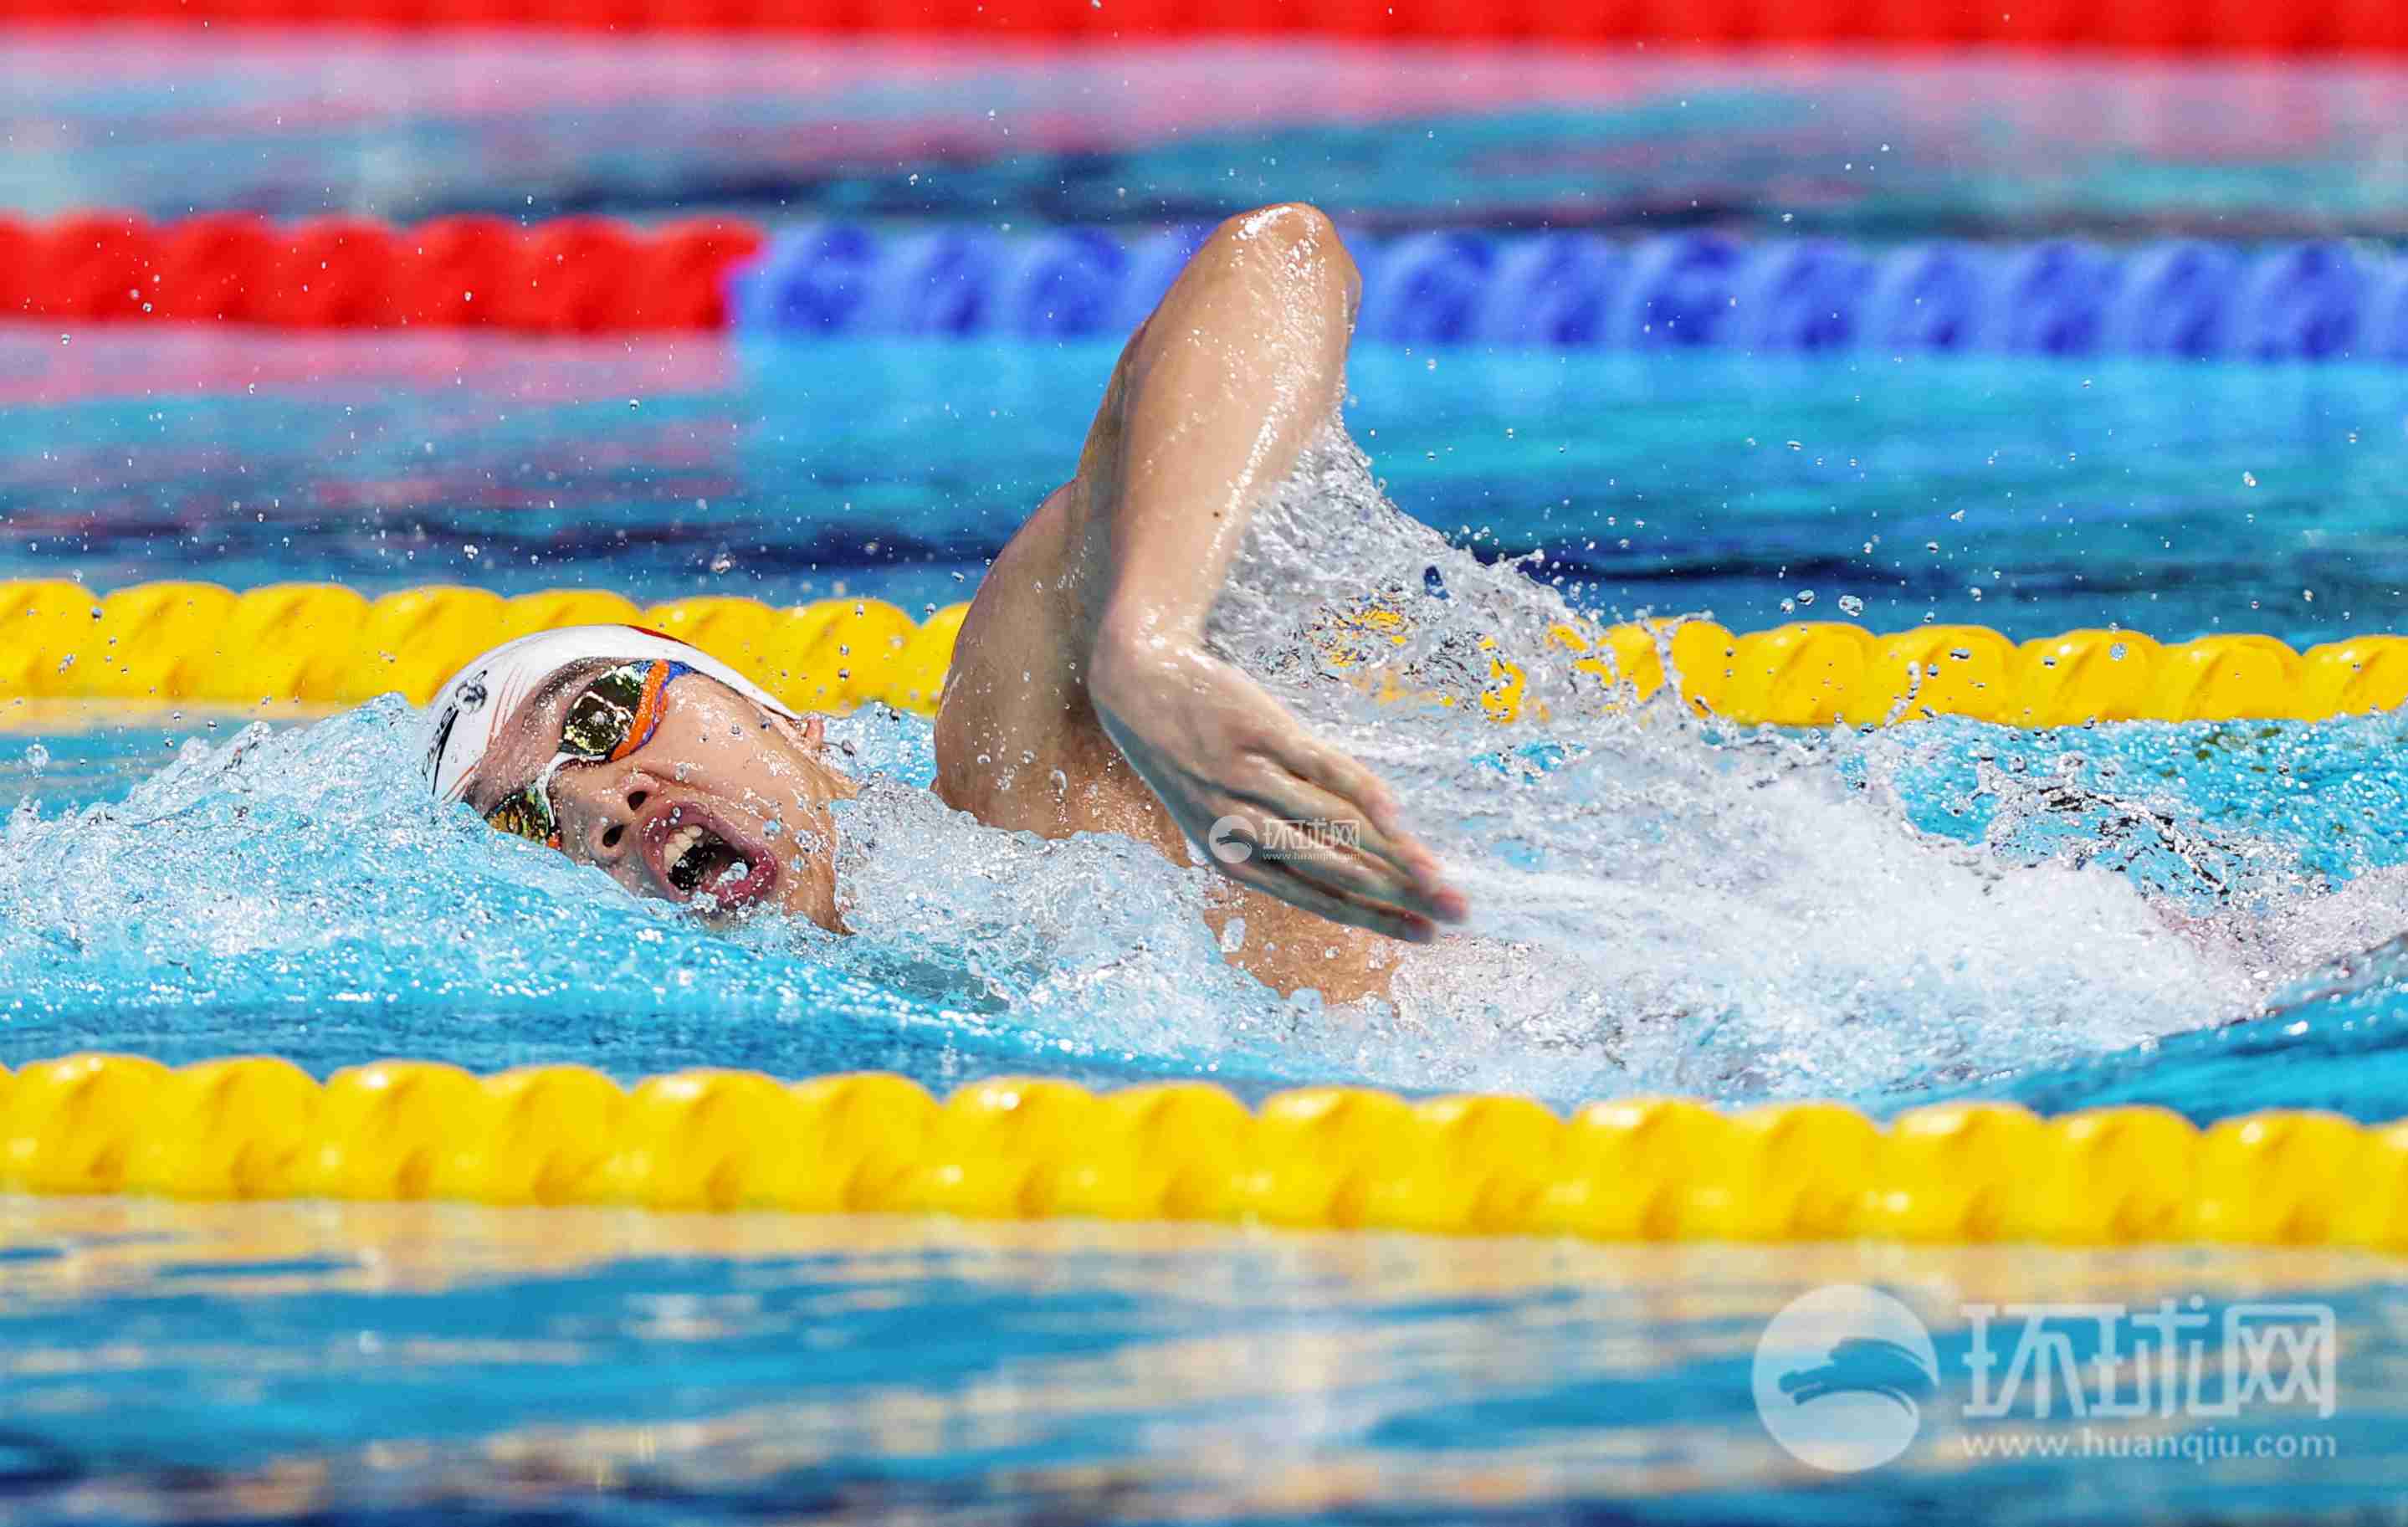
2192,916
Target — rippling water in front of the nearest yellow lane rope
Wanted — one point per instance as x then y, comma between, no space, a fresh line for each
432,1364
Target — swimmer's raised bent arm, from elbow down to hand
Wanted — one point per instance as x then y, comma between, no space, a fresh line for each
1217,396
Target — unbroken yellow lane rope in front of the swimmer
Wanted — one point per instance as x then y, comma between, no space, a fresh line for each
1321,1157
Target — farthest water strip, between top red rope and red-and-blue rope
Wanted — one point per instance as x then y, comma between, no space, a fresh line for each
1405,138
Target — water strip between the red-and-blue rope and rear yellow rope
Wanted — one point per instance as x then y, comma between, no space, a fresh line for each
2009,493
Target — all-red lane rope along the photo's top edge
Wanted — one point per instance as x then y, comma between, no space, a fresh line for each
2363,28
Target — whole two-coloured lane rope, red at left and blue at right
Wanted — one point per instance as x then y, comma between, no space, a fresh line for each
591,276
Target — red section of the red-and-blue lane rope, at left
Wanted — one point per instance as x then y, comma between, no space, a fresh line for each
579,276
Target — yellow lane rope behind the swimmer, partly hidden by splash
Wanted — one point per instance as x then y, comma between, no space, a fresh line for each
334,647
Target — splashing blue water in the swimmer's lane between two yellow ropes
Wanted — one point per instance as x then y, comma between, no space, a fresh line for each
285,890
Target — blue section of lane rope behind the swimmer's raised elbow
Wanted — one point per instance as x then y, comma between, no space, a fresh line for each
2291,302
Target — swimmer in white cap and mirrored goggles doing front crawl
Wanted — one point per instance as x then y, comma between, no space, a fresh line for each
1082,695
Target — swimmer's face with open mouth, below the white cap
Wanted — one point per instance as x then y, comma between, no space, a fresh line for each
721,808
